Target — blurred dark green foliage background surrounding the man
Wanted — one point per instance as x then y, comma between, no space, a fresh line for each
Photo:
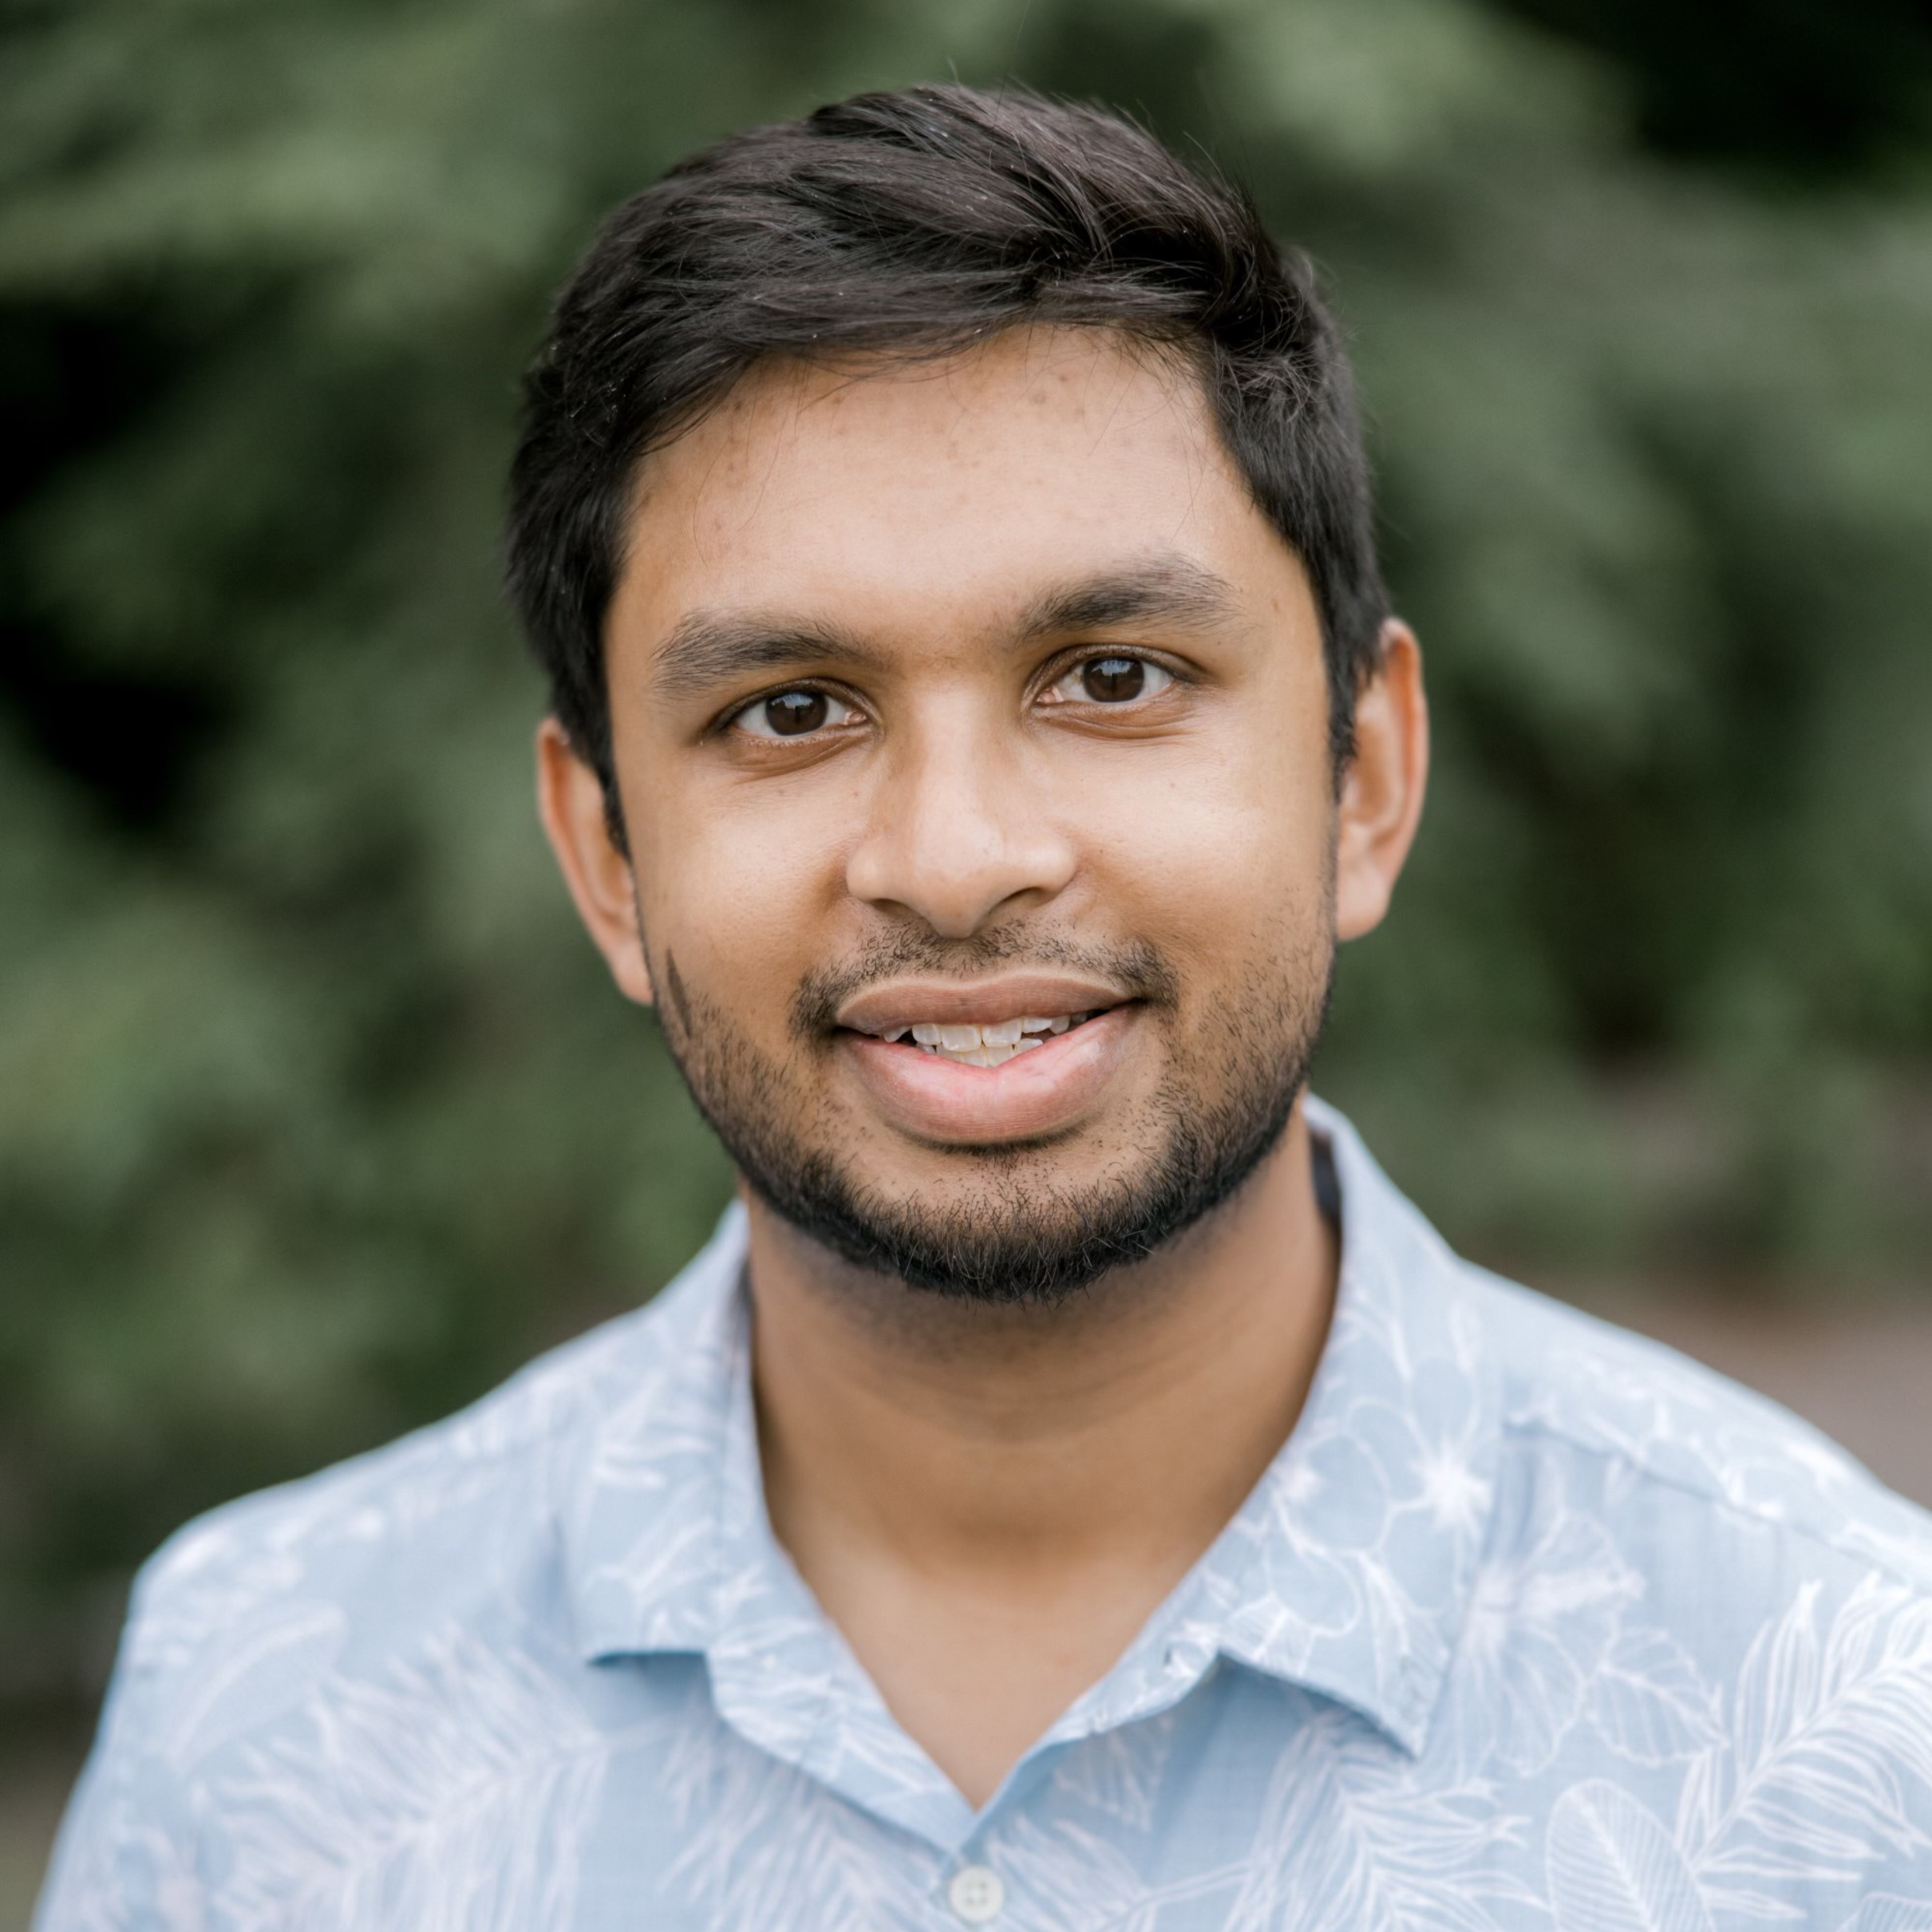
316,1112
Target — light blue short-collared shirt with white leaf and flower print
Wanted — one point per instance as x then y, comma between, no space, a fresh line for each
1529,1626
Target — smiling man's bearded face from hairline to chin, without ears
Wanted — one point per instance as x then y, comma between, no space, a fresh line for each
977,696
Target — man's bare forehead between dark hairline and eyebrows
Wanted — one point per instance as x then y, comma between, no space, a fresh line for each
942,494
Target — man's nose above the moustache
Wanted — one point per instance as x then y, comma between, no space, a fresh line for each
959,838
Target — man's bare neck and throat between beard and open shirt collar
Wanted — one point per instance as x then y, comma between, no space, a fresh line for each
992,1508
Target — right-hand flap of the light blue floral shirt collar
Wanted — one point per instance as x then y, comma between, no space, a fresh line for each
1351,1566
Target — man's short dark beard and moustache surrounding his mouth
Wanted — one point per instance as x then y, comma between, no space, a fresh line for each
1017,1232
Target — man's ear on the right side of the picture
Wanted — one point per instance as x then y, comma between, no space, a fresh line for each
1382,789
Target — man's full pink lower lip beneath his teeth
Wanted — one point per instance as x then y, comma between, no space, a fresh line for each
1038,1093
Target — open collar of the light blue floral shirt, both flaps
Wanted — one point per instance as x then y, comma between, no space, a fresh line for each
1348,1572
